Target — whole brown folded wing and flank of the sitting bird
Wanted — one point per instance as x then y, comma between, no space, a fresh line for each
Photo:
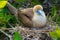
25,16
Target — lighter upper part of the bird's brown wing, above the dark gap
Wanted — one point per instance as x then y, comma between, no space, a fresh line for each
28,12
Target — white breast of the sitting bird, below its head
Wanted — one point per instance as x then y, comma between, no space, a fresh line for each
38,20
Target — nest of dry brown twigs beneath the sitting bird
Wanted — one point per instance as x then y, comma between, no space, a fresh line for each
36,33
